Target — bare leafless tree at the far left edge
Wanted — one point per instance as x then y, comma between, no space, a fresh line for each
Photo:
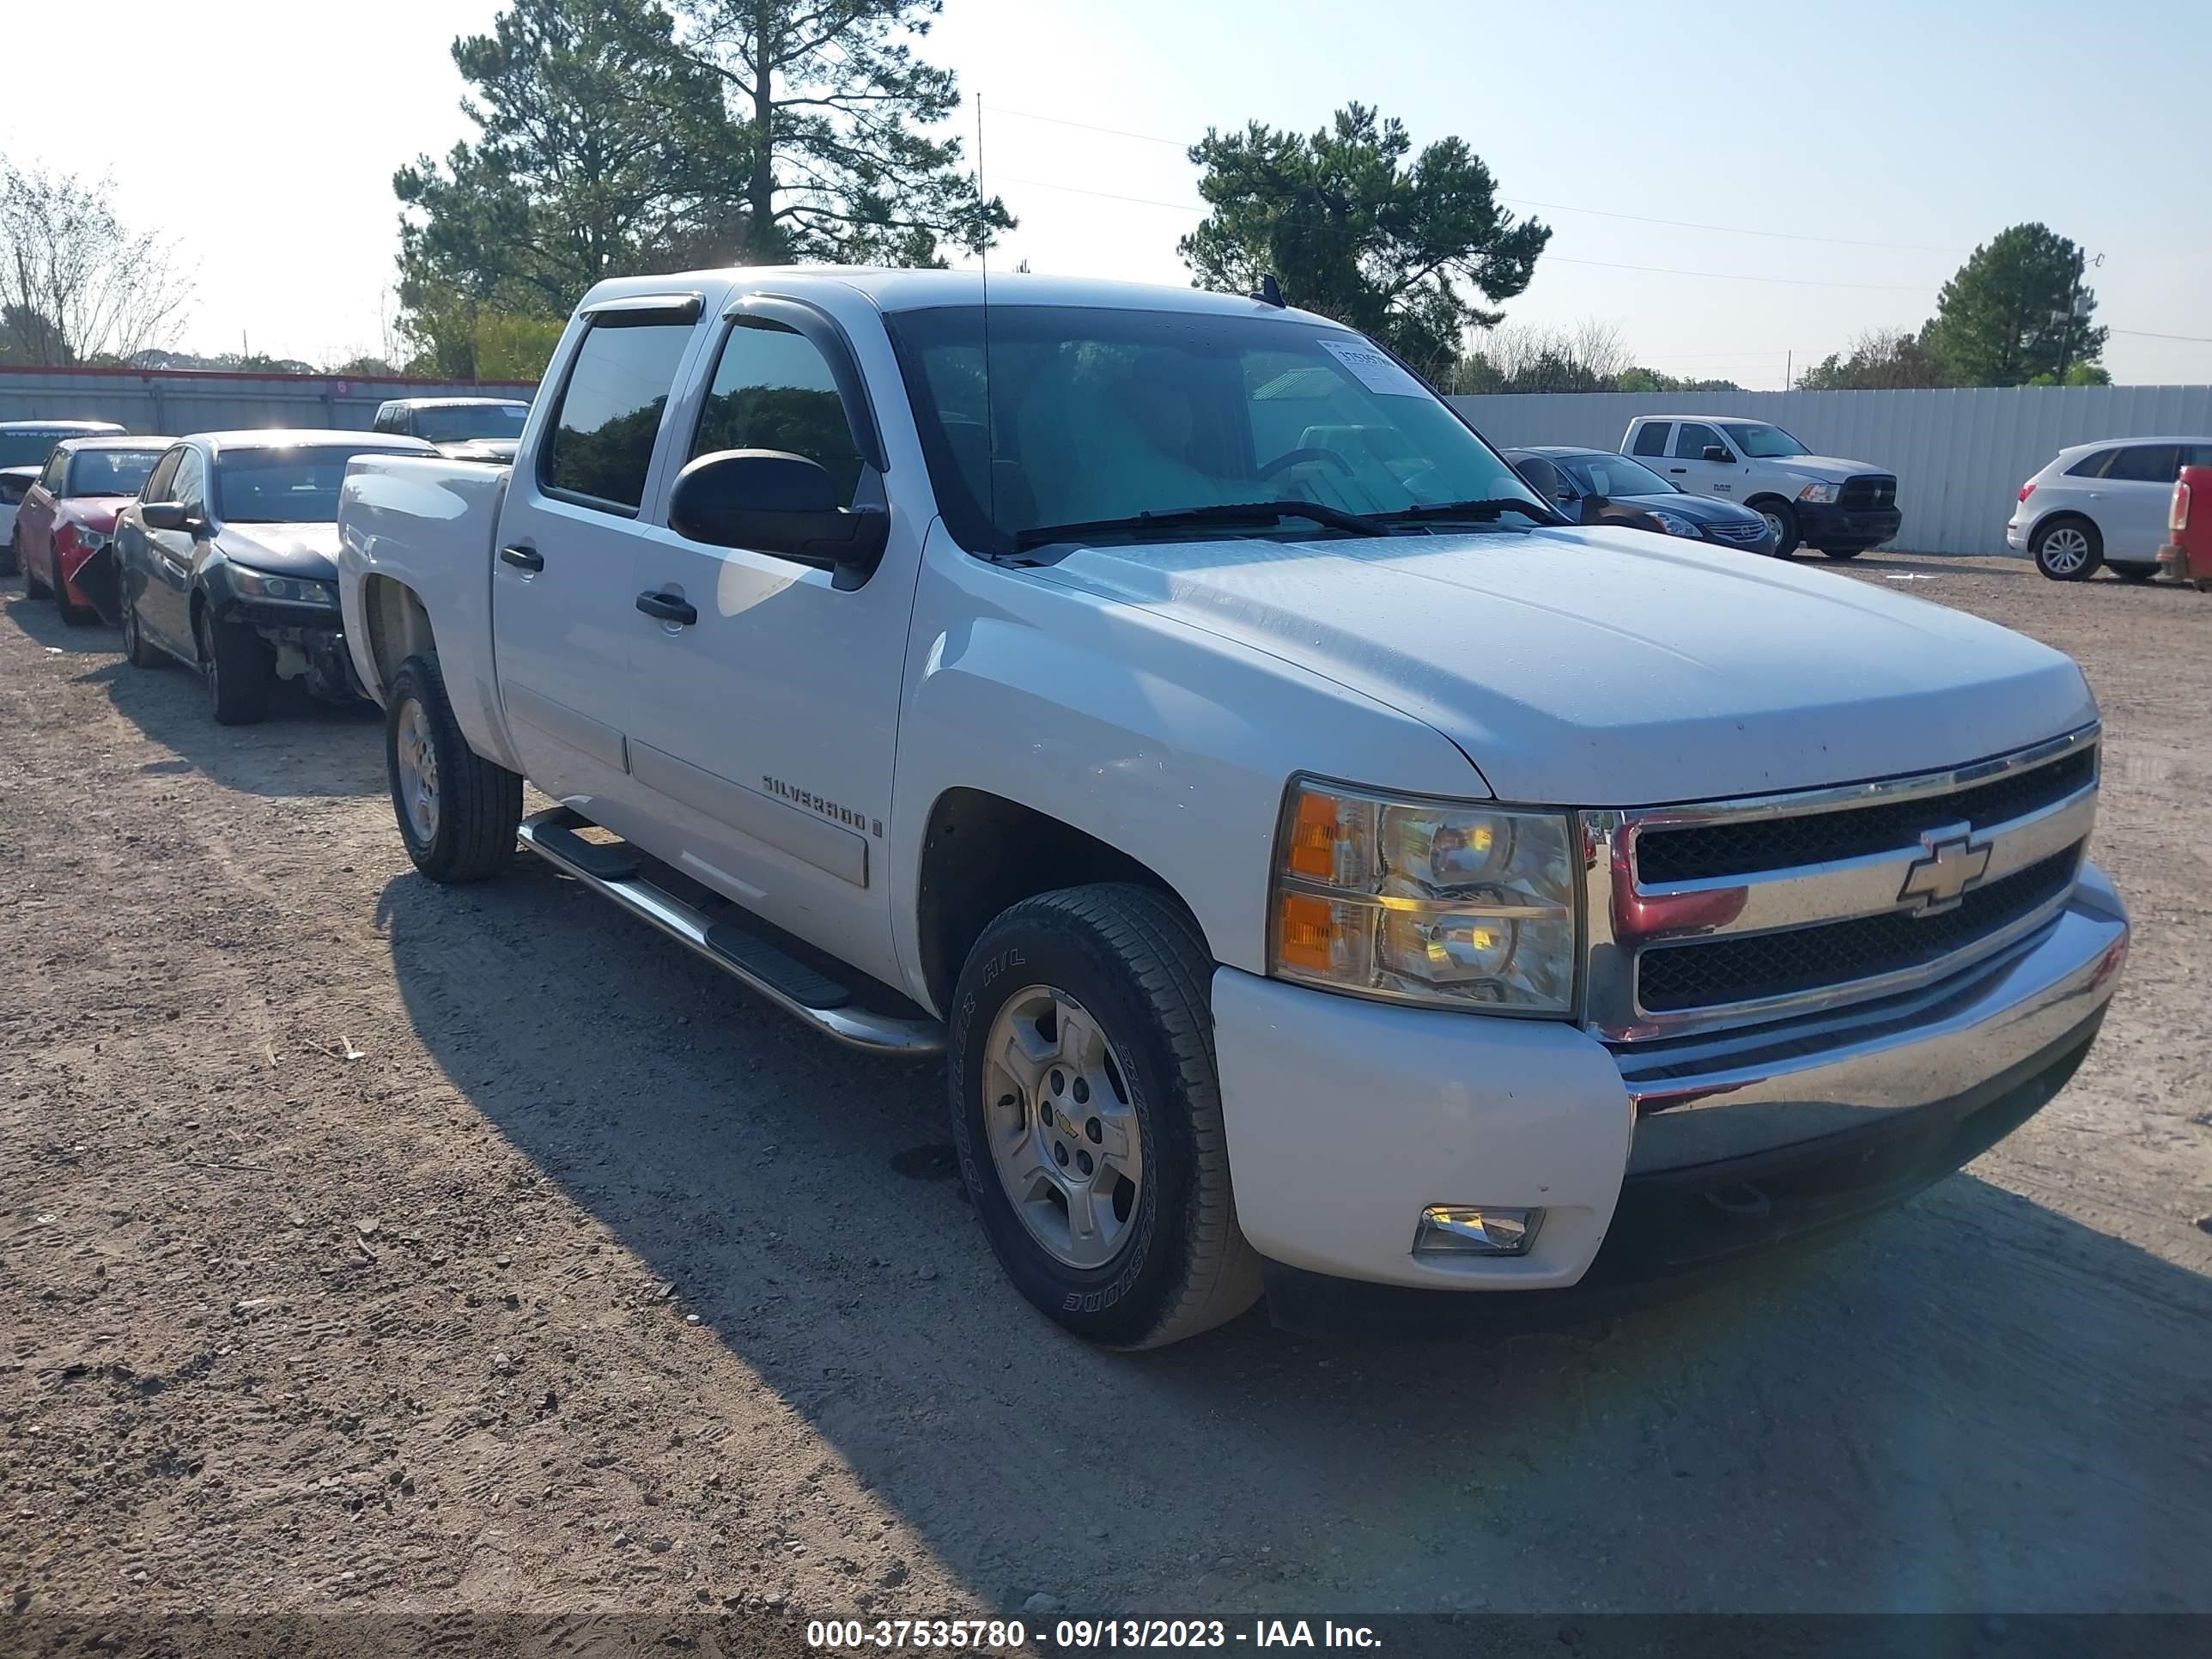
76,284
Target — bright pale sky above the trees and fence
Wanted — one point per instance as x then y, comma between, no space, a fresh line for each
267,132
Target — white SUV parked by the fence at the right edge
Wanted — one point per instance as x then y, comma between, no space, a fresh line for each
2103,503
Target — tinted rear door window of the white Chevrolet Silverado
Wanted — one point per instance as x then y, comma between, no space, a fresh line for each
609,417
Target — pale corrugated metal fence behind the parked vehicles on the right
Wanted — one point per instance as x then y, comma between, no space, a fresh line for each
1961,457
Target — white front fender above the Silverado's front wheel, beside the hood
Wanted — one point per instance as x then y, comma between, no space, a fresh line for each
1156,738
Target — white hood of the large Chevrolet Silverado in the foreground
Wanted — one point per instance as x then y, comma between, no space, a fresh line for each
1609,669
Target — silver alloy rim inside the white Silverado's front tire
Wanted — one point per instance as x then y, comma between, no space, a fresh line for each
1063,1129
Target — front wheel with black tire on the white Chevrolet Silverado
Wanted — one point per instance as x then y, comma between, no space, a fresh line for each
1087,1114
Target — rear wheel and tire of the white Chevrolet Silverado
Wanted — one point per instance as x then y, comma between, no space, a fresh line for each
457,811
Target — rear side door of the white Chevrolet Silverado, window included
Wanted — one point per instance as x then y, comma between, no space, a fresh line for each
561,574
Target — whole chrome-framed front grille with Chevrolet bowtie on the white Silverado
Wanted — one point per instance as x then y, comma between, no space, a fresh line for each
1740,912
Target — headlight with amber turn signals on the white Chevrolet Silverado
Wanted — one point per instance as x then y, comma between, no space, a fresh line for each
1426,901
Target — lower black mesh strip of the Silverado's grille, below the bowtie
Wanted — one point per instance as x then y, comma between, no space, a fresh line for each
1735,970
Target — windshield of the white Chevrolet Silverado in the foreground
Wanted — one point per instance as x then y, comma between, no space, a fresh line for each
1105,415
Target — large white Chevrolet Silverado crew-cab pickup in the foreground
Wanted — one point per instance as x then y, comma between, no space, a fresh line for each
1326,870
